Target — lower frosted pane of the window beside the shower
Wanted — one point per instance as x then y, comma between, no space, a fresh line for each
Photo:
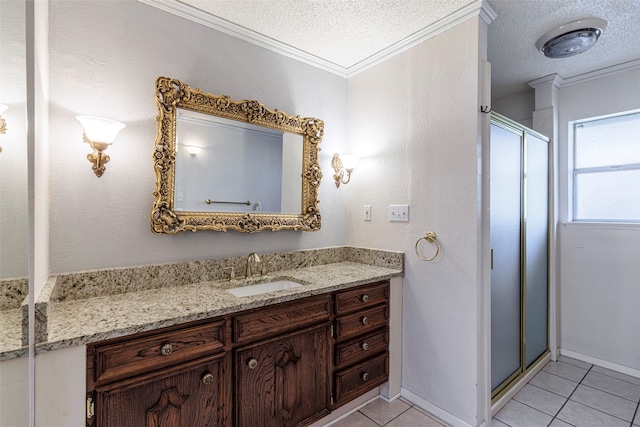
608,196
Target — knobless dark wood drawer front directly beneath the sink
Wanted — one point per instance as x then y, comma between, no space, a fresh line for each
280,318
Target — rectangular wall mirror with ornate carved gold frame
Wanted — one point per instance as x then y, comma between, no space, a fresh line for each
225,165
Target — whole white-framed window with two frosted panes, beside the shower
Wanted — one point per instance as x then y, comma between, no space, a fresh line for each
606,174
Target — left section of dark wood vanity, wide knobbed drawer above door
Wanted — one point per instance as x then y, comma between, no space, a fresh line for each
175,378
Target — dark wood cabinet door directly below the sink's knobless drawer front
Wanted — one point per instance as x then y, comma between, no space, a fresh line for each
284,381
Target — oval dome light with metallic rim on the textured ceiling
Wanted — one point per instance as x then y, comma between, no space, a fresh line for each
572,38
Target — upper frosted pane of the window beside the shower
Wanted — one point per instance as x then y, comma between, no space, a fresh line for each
606,142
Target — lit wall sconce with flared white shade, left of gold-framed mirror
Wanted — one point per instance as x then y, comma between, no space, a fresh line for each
99,134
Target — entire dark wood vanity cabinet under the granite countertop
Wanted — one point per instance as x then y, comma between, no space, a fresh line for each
283,365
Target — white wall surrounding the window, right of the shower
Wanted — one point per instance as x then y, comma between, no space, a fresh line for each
599,270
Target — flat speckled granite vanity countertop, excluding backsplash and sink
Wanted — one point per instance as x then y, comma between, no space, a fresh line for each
81,321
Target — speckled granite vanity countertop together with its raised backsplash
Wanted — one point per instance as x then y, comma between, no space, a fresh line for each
79,308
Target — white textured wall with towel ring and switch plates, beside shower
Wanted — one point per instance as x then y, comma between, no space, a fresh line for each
415,118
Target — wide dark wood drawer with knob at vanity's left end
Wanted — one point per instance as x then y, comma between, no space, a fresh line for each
136,356
